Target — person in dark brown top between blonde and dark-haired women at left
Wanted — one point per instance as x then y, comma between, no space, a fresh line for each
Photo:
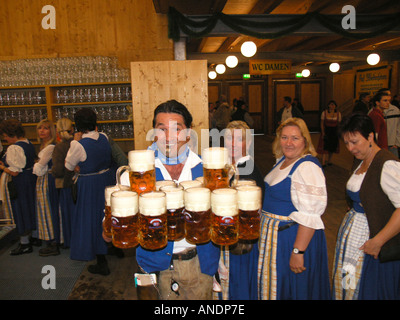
63,177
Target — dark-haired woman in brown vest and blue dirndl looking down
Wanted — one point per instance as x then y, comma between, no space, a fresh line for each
367,255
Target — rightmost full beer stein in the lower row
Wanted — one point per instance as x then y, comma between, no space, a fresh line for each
249,204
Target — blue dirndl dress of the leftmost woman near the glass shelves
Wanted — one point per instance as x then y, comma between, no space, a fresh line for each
23,207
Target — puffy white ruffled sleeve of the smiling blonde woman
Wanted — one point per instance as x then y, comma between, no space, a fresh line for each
309,195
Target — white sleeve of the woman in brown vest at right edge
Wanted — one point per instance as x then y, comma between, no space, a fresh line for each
390,181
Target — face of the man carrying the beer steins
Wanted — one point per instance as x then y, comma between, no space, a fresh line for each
171,133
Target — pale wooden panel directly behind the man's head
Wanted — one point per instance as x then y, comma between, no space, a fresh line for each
158,81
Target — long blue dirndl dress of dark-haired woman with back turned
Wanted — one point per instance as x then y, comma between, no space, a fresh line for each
86,235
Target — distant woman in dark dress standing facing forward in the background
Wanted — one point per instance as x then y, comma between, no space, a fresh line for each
329,140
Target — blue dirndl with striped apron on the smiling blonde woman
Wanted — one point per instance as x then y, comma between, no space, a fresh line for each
275,279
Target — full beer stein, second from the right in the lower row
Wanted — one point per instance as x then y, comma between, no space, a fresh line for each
224,217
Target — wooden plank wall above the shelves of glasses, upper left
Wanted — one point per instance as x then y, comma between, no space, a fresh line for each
128,29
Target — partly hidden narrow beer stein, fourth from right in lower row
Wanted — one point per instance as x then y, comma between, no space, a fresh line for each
175,217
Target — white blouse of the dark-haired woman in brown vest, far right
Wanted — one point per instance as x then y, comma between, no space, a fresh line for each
390,181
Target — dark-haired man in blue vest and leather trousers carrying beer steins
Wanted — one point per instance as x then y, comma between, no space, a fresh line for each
185,271
